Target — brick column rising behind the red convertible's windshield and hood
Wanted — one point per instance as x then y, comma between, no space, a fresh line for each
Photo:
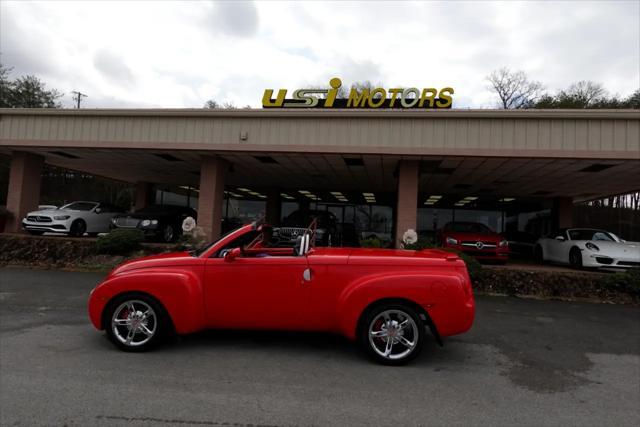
211,196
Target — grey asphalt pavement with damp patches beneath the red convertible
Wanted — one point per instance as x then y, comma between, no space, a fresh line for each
525,362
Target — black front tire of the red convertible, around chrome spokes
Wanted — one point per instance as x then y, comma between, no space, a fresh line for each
159,322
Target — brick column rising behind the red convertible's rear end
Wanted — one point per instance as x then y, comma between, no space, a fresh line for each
407,209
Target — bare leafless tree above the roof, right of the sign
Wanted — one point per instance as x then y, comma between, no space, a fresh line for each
514,89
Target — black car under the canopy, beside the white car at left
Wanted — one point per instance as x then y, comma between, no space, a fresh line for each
160,222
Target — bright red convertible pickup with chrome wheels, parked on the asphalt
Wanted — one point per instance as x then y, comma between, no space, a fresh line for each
382,298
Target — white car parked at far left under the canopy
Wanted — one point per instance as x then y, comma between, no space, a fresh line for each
74,219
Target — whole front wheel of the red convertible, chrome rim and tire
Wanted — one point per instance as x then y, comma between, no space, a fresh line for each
136,322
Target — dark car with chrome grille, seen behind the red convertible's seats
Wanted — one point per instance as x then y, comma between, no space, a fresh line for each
327,230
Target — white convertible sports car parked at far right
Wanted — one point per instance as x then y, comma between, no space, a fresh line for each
586,247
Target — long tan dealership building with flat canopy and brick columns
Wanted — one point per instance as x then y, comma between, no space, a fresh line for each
380,172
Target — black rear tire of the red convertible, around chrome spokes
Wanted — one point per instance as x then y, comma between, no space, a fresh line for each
400,354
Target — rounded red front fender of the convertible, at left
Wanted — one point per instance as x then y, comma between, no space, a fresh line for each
179,290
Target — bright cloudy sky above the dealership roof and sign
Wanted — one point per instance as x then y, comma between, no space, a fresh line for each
179,54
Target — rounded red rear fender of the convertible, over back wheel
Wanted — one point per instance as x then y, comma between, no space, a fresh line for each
428,291
